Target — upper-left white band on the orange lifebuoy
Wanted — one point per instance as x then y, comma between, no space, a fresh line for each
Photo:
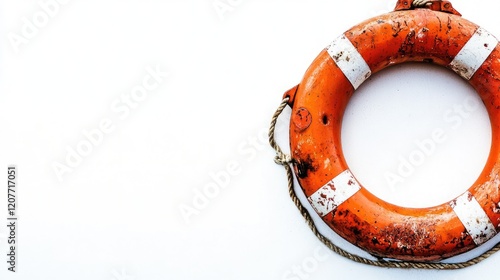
350,62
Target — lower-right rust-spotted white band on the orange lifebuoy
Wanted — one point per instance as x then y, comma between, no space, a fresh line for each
473,217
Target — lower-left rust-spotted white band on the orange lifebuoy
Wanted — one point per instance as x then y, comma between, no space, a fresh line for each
334,193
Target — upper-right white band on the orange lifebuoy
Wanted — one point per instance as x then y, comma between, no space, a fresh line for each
474,53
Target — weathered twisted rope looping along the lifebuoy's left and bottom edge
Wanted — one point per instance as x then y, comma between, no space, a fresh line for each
286,160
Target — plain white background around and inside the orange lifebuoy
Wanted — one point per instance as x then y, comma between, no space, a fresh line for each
117,213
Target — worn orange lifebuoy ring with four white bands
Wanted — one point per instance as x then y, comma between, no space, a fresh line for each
435,34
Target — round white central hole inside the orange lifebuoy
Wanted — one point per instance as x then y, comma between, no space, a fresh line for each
416,135
